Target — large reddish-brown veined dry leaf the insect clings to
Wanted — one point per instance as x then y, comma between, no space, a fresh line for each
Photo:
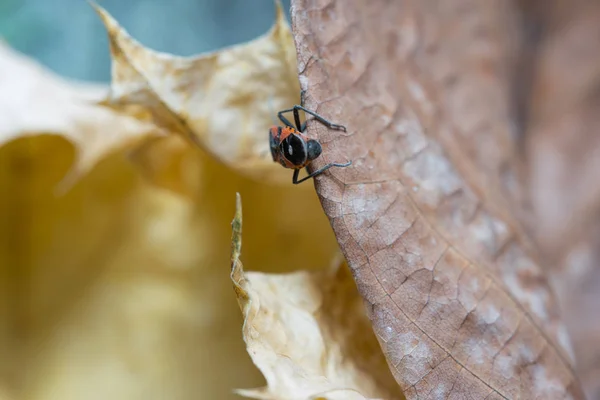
429,216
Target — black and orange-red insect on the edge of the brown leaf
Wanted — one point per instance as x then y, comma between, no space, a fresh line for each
292,149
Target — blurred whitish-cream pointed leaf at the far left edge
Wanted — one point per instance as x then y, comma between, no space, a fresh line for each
36,100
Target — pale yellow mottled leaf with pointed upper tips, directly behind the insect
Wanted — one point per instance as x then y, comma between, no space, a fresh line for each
223,101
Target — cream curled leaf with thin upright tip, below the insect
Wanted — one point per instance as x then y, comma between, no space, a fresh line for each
308,333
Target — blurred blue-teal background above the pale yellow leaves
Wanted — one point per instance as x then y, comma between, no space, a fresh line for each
68,37
